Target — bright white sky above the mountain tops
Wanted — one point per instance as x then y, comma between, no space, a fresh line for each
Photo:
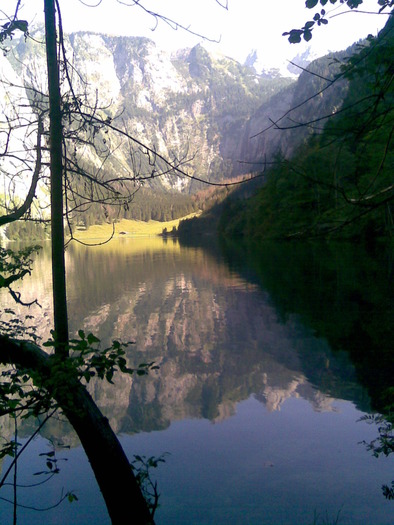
246,25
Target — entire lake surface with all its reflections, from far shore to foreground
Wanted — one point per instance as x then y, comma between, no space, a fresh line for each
259,391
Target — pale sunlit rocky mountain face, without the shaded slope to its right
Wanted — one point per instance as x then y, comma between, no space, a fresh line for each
189,105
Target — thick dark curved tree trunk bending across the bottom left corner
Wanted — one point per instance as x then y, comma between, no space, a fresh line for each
124,500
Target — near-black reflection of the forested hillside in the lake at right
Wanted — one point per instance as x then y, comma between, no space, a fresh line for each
346,296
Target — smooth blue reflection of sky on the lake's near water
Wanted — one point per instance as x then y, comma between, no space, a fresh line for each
256,467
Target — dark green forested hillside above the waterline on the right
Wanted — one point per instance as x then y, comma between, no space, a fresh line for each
339,182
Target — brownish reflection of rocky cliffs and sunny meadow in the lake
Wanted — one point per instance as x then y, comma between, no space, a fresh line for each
217,339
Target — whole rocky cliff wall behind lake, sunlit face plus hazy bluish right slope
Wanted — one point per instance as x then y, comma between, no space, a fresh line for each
206,109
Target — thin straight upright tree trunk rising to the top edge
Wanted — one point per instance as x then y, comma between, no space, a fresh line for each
56,176
